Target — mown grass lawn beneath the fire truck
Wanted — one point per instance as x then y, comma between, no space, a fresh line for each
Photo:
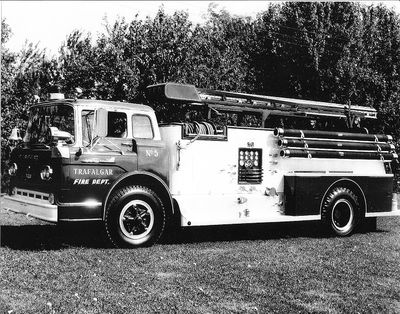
282,268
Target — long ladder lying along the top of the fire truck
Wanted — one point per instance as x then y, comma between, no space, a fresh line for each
267,105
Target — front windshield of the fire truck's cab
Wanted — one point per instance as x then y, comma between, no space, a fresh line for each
60,116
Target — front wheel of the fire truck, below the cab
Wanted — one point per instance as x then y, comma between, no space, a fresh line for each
135,217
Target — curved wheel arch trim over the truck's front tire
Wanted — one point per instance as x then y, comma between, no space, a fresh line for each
150,181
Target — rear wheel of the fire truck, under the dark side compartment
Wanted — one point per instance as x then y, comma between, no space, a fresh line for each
341,211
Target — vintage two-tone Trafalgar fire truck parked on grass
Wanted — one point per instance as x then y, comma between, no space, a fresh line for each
232,158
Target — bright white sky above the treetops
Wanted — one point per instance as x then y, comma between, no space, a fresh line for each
49,22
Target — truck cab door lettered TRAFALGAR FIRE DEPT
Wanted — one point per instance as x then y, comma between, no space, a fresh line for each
93,168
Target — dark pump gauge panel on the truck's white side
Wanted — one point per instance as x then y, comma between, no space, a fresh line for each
250,166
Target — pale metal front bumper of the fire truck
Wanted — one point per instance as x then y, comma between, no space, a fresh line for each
31,203
